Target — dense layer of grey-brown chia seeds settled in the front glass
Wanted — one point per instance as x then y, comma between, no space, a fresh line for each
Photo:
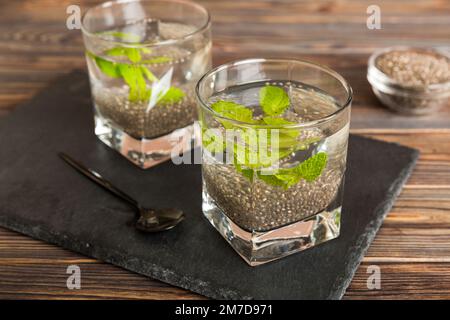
259,206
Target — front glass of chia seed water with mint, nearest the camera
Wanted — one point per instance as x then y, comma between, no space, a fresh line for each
274,148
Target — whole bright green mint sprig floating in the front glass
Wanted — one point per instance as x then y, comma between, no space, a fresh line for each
281,142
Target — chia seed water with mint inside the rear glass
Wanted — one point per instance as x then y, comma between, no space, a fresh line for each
174,66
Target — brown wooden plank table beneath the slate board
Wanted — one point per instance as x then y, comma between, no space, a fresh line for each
413,246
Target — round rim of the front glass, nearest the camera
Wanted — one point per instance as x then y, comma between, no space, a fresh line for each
309,123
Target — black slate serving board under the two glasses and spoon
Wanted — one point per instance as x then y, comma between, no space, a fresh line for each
44,198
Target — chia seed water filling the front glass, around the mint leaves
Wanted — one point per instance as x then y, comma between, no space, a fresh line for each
255,205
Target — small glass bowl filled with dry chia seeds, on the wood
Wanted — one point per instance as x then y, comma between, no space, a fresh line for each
410,80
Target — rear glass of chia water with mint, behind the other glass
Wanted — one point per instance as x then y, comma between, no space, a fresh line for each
144,58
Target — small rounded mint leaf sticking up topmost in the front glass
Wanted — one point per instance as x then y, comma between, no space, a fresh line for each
273,100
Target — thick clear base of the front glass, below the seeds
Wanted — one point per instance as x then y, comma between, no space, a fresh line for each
261,247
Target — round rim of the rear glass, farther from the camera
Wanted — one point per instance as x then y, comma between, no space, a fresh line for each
110,3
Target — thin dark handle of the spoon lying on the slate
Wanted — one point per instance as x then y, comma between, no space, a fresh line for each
96,177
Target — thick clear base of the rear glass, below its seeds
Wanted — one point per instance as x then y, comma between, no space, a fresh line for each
143,152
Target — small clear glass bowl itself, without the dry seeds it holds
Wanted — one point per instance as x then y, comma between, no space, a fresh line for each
403,98
